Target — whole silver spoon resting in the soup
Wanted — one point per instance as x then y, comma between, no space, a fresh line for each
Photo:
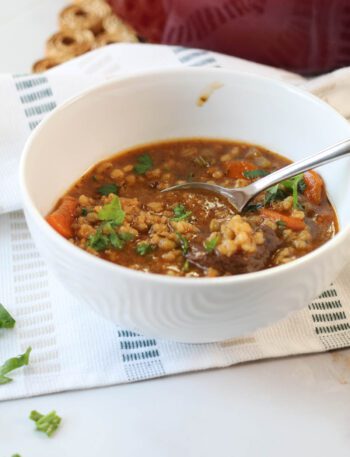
239,197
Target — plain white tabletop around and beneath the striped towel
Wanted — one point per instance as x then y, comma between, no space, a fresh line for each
291,407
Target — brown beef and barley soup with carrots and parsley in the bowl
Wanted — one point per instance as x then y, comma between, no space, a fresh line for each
117,212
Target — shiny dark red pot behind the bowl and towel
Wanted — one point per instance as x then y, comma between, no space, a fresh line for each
307,36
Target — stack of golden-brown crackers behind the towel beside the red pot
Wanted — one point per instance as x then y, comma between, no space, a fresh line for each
84,25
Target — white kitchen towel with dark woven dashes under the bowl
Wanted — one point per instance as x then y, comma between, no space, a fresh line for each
72,347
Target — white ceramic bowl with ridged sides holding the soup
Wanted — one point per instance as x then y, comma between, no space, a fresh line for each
160,105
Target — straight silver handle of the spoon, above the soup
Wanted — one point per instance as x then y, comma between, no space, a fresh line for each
327,155
